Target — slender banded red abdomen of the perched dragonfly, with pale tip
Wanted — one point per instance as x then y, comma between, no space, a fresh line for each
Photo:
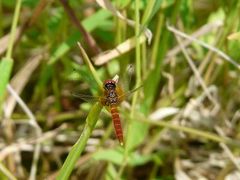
117,124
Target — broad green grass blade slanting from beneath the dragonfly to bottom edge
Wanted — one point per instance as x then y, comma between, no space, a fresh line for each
78,148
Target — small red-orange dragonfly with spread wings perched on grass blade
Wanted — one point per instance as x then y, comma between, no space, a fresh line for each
112,96
